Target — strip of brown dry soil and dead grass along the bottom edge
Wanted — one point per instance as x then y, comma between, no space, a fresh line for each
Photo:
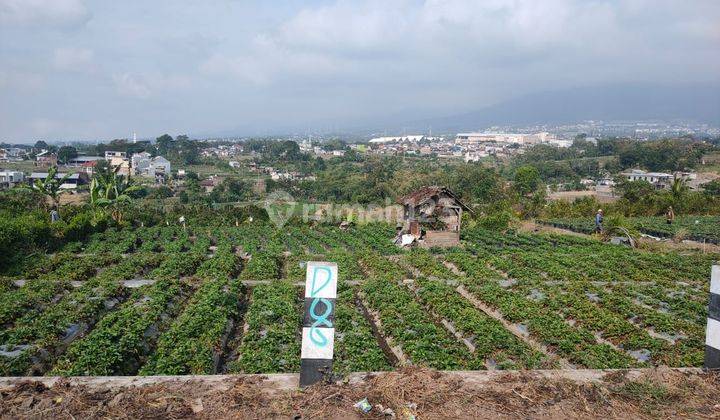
658,393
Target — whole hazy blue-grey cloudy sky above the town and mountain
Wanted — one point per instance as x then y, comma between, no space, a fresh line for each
99,70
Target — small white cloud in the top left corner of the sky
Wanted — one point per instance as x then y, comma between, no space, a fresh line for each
53,13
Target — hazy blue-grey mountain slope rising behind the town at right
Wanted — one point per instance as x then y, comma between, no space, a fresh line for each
607,103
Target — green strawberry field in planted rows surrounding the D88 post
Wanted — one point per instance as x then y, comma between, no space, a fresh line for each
226,300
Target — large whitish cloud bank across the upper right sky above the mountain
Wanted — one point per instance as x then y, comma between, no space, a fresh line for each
389,45
